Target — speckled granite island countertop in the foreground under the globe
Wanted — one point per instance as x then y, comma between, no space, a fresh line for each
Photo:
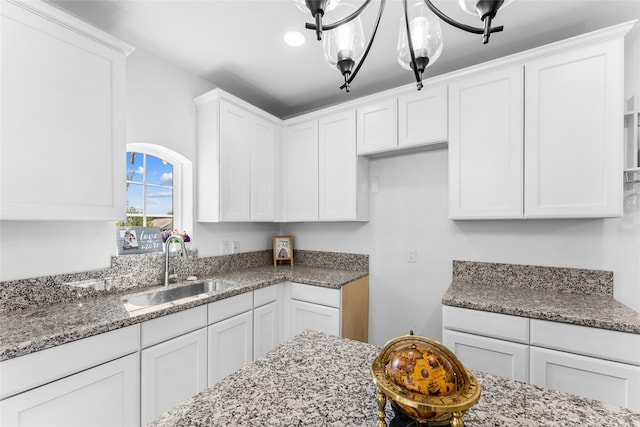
316,379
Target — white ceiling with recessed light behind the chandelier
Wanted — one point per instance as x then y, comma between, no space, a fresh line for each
238,44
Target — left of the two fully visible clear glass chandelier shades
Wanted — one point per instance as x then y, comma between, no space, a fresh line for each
345,43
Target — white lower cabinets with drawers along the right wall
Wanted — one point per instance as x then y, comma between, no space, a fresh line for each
596,363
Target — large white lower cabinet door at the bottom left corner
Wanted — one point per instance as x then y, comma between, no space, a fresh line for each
107,395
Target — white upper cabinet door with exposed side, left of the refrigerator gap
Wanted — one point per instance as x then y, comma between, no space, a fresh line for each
343,176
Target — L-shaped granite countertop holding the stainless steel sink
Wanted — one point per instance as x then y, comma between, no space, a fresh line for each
30,330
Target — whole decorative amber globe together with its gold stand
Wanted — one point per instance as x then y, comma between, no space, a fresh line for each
424,381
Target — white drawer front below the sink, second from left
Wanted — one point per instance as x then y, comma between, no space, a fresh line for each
173,325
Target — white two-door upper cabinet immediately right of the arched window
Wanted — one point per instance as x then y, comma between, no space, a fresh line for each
238,153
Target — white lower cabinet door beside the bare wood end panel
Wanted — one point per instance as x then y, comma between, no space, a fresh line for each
305,315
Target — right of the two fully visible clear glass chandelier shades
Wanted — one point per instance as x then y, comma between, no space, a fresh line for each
426,37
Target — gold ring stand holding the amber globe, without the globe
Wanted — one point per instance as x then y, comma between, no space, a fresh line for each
425,408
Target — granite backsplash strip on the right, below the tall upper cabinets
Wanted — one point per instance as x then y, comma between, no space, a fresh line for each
574,280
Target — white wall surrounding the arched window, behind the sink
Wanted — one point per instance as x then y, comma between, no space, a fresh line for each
160,110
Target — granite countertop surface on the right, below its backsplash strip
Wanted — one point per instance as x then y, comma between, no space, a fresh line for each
597,311
